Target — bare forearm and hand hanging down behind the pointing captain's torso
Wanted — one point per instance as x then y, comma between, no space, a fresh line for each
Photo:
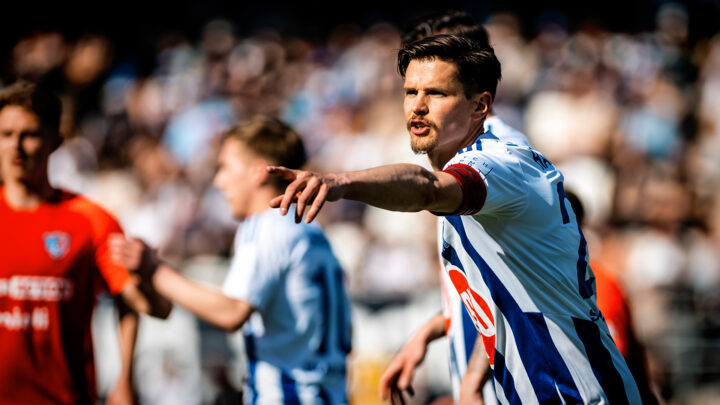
397,378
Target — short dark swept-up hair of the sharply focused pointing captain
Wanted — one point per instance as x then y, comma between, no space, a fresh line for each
478,67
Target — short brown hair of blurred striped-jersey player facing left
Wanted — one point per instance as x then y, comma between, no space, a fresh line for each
270,139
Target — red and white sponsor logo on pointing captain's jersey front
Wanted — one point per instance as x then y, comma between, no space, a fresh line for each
479,311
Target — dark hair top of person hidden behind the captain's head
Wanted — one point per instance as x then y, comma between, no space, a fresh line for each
448,22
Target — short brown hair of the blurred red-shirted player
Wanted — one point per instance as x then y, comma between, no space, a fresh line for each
36,98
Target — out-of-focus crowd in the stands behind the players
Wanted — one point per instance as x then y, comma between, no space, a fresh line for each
623,96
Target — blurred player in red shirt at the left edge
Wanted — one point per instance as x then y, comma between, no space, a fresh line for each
54,262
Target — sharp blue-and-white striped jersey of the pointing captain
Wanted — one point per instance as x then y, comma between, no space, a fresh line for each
520,266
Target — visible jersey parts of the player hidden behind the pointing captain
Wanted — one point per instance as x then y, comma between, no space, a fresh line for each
460,329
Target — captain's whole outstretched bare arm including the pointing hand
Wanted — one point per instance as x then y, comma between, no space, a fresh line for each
400,187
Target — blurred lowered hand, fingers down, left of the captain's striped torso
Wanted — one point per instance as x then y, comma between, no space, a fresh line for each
396,381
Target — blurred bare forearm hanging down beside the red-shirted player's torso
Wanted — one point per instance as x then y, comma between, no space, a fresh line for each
122,393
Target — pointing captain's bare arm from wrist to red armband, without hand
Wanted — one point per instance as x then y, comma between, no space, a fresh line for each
400,187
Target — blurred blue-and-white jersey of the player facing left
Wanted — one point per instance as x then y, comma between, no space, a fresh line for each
298,337
